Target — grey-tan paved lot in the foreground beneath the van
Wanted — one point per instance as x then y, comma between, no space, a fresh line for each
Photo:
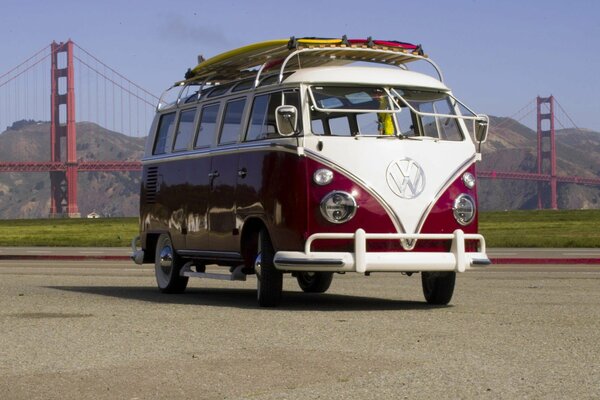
100,330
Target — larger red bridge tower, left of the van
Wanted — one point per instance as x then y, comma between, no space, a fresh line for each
63,184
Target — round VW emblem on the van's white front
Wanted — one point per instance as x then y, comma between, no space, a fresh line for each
405,178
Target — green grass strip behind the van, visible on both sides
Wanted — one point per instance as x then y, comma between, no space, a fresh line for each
546,228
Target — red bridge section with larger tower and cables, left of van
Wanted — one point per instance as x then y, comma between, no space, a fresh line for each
104,97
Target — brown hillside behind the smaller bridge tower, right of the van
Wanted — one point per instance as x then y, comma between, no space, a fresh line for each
513,147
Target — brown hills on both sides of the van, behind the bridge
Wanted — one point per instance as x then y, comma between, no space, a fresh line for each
511,147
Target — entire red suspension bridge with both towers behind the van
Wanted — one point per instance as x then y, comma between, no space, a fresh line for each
109,99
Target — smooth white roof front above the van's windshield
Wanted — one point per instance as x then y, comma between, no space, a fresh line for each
365,75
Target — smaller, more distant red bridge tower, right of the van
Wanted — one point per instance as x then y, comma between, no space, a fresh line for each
546,157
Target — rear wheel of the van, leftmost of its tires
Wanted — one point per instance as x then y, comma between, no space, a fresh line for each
167,266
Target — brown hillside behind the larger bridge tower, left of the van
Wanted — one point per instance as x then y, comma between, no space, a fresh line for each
27,195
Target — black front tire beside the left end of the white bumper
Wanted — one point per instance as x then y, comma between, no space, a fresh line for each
269,280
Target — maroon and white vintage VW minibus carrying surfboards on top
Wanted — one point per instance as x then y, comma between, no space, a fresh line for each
312,157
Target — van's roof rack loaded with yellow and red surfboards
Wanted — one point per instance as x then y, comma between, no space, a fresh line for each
297,53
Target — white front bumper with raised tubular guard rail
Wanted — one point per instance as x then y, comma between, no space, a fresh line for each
457,259
